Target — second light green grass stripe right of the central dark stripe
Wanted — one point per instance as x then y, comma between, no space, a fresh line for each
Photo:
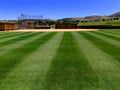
108,40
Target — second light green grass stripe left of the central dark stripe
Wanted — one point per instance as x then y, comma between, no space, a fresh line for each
10,47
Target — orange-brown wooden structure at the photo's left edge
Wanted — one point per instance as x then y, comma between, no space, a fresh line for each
5,26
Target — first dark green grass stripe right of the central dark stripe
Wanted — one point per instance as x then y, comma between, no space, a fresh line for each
105,46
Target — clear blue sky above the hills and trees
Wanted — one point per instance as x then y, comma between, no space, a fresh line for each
55,9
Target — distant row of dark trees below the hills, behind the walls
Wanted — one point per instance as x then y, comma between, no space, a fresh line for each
69,21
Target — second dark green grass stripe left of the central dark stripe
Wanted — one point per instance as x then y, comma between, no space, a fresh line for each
14,40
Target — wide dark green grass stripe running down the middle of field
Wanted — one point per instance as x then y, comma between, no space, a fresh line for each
69,70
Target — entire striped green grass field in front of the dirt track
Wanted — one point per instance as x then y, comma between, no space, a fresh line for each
60,60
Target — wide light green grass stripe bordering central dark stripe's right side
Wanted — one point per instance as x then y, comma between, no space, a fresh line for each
107,69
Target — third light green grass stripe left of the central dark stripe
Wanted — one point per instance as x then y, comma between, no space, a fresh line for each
12,37
